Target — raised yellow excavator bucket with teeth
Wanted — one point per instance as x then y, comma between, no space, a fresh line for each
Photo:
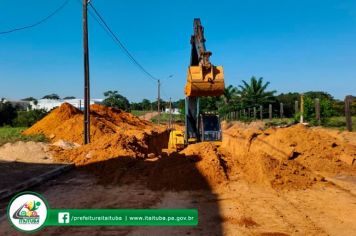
205,81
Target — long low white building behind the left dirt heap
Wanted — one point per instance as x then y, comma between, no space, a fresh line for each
49,104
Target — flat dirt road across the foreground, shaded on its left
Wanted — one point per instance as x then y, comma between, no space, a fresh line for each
239,208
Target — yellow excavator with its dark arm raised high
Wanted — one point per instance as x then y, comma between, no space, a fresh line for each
203,79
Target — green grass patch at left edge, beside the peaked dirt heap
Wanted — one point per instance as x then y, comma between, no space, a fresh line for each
13,134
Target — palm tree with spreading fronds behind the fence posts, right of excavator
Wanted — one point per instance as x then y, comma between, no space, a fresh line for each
254,93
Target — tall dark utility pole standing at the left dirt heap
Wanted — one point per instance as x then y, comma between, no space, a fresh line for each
86,75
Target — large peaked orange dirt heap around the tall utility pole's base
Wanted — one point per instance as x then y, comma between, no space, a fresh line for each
113,133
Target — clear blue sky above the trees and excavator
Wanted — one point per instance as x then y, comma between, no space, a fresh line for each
297,45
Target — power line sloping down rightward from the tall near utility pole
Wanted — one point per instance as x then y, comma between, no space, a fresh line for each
105,26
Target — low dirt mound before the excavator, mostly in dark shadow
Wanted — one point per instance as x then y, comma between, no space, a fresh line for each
200,166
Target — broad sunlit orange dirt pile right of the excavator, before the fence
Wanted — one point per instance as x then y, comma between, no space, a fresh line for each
291,157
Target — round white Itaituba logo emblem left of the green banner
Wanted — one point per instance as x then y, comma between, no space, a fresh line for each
27,211
